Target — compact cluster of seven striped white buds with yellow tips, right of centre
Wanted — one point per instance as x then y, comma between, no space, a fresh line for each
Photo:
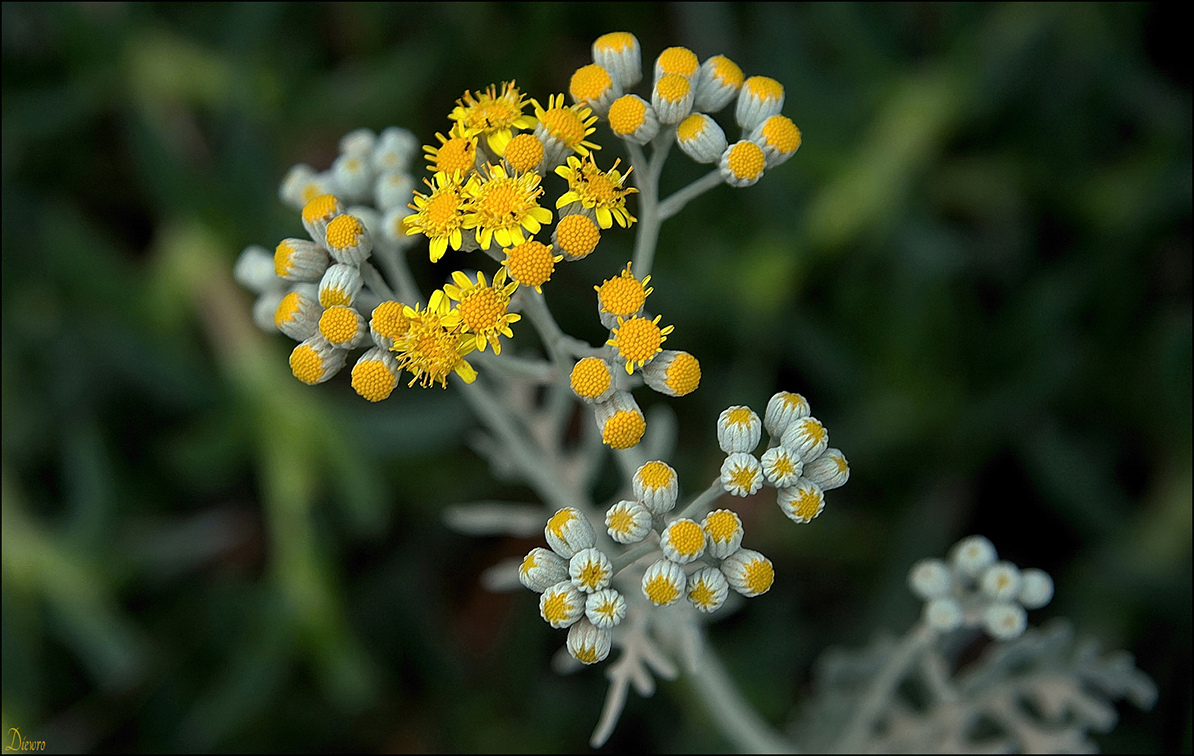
799,462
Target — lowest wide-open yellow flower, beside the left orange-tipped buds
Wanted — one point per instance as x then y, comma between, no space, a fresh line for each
434,345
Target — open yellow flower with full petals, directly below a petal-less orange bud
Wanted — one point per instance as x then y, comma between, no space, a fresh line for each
502,206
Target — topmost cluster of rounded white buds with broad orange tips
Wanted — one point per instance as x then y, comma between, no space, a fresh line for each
684,93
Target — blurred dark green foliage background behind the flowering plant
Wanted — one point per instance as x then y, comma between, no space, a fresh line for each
977,269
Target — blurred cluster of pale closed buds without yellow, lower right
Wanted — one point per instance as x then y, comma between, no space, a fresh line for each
974,589
